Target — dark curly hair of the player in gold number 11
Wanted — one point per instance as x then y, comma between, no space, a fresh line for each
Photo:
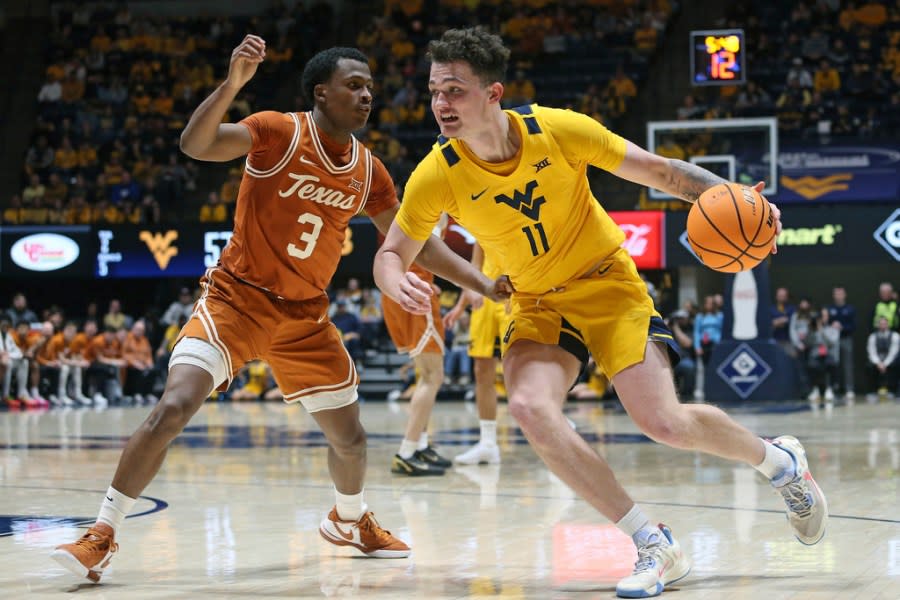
483,50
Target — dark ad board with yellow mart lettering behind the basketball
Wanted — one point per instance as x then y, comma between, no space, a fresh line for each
816,235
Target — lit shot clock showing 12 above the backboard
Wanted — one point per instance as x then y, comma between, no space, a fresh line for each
717,57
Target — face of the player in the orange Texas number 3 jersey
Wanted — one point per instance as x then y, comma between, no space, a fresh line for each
347,95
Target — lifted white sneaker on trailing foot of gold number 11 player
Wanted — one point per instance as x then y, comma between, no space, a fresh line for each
807,510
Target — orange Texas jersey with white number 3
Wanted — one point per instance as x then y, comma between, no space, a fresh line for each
297,196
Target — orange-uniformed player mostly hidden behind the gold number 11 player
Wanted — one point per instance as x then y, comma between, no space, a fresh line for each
422,337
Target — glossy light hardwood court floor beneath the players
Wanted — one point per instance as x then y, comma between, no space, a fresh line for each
235,509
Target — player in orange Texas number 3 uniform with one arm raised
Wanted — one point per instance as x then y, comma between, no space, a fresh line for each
306,176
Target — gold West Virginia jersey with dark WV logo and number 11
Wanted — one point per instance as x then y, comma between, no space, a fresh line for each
534,215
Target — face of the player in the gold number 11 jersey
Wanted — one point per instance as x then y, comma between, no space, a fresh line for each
459,100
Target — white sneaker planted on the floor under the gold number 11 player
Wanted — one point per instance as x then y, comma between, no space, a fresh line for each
660,563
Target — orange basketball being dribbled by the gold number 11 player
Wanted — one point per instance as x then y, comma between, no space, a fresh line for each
731,228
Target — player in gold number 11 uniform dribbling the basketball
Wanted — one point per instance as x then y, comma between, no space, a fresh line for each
516,180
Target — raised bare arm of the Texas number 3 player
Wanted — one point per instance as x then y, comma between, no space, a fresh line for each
205,137
